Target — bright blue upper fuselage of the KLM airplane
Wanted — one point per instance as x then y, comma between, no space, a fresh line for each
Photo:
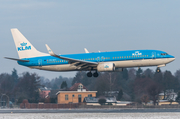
98,57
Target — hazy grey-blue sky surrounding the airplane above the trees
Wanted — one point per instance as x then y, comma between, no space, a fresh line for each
69,26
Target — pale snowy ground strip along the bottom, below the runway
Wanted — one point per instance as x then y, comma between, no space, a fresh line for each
169,115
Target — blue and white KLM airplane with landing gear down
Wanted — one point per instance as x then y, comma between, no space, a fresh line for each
92,62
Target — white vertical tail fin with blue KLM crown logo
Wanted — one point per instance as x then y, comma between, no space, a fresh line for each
24,48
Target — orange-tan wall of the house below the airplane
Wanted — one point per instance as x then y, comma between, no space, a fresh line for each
71,99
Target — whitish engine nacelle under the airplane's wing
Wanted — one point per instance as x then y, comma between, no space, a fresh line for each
106,67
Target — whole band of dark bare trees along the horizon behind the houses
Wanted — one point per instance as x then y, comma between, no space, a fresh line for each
135,85
